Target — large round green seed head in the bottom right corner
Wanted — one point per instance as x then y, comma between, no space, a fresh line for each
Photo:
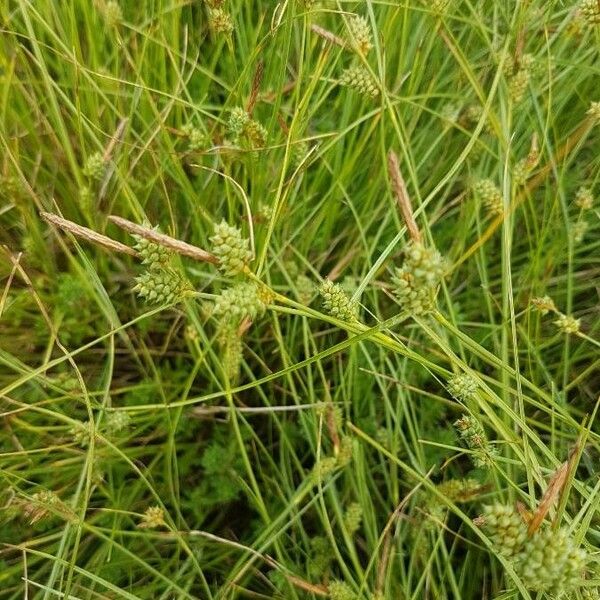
549,561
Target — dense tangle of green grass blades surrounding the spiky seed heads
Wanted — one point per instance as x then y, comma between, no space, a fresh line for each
253,505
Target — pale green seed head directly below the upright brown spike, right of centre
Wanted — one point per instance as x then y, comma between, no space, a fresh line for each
417,281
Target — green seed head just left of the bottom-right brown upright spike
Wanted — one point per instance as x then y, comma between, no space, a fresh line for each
505,528
